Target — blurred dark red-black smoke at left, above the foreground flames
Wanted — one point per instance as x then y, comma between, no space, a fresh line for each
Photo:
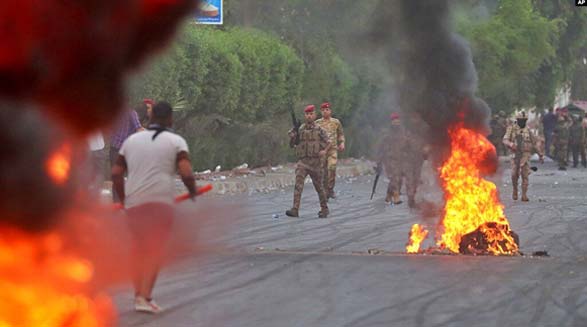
69,58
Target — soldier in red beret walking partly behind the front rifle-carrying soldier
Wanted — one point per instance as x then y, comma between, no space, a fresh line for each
333,128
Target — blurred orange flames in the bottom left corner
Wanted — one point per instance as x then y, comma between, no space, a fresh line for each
43,286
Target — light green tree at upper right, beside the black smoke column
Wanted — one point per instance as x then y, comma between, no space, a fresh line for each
509,50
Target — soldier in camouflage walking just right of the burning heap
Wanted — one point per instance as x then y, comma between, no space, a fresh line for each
522,143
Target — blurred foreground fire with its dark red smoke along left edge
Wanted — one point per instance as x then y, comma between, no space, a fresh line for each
62,67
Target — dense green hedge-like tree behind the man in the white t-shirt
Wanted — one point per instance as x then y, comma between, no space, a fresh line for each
230,86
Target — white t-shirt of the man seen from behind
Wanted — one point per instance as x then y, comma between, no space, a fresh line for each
151,166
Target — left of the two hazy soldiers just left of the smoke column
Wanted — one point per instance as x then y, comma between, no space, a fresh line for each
390,154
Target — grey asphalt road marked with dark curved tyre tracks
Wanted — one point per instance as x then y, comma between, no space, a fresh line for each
317,272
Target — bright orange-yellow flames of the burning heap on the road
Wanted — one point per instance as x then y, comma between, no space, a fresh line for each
471,201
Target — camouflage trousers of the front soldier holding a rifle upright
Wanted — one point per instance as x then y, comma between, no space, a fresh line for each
313,168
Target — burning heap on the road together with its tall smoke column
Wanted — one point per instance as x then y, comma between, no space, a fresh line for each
437,82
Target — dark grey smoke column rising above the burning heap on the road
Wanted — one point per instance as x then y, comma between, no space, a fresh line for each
433,66
